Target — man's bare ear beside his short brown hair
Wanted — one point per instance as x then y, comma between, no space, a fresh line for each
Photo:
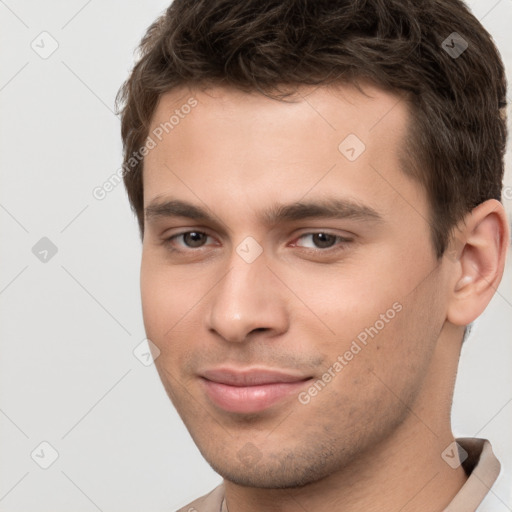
477,254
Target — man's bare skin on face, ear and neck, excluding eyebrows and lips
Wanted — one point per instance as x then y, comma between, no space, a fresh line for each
372,438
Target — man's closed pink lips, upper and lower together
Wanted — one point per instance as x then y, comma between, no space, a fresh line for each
251,390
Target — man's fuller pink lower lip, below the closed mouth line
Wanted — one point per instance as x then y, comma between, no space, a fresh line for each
250,399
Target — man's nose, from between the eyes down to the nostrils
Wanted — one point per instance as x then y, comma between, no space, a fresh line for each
248,299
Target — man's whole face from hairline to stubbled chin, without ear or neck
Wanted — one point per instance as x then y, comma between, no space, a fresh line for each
345,306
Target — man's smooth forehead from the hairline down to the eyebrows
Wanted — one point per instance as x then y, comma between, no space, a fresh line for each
245,148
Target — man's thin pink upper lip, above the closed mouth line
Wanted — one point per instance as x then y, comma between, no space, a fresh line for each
250,377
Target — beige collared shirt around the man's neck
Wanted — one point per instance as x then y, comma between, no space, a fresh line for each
481,466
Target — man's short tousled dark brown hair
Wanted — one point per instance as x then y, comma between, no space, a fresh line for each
458,131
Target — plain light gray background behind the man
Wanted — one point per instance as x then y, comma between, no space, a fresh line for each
68,327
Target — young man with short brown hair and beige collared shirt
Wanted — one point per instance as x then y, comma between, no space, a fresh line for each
318,187
